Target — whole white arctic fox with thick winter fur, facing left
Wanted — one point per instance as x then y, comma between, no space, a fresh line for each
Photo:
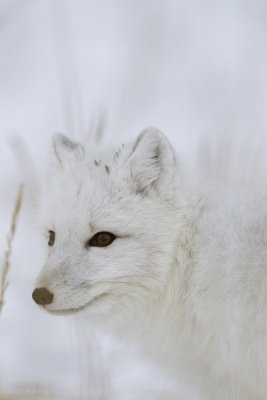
179,268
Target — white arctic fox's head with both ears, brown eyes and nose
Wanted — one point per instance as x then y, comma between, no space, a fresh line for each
109,223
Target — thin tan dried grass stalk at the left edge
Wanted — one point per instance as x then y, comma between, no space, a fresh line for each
10,238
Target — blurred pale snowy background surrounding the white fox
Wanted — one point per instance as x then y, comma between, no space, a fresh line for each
195,69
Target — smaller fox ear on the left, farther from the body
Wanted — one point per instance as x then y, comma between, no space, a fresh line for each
65,151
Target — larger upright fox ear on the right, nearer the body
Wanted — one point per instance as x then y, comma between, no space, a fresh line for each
152,161
